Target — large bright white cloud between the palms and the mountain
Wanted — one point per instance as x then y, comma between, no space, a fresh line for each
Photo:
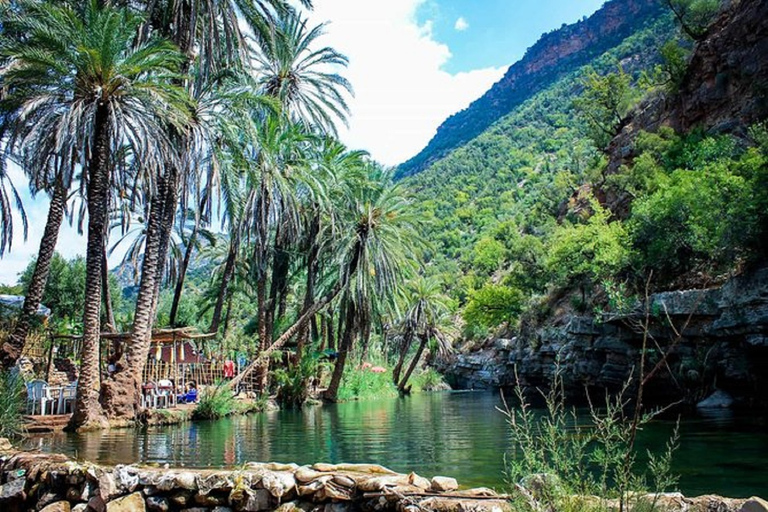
401,92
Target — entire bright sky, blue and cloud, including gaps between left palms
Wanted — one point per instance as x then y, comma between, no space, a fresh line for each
413,63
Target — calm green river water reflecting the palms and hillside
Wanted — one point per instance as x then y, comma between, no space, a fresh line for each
453,434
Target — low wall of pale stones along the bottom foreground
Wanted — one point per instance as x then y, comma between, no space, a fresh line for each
56,483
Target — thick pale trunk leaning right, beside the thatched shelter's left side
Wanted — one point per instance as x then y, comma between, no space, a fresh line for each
122,391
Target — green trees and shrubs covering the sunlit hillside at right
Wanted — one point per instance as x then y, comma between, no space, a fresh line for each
521,213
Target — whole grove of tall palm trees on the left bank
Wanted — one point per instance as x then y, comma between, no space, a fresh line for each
180,113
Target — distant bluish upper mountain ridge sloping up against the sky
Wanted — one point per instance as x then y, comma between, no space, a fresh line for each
553,56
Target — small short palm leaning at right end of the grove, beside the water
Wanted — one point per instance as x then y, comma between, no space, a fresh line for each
428,318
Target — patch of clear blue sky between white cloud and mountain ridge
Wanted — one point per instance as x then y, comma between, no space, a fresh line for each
488,33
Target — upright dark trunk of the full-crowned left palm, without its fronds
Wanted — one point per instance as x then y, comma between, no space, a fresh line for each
88,411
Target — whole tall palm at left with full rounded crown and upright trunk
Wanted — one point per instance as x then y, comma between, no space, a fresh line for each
90,85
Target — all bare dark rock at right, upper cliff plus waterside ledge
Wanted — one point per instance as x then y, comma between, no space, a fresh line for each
724,331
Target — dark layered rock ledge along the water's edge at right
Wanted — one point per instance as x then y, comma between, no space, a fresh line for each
722,344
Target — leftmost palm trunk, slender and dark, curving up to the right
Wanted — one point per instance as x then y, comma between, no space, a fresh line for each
12,349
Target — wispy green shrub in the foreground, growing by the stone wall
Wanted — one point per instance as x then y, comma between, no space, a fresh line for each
561,463
